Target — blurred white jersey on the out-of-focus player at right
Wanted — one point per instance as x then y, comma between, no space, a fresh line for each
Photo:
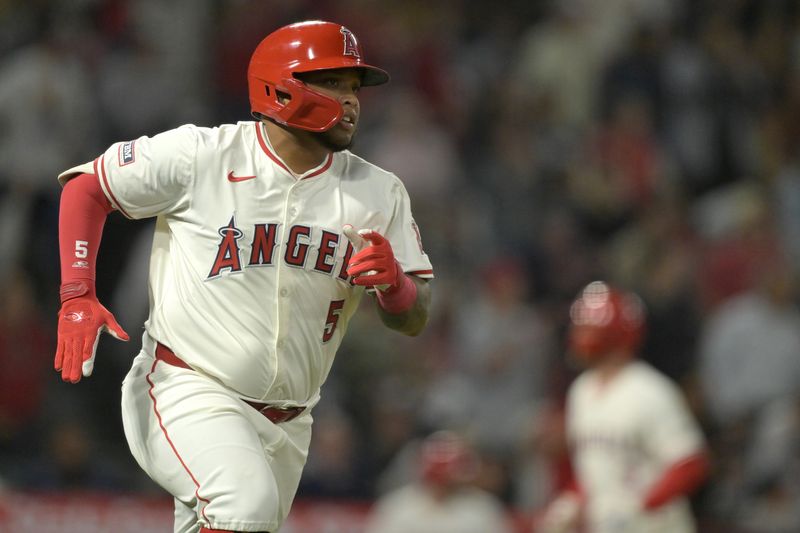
623,435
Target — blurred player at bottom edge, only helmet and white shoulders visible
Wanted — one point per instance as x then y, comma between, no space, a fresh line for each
443,499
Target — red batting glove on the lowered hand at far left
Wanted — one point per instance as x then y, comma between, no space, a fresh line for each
80,321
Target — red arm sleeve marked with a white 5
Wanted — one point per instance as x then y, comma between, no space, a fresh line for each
82,216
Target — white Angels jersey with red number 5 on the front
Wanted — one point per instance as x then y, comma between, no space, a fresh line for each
247,275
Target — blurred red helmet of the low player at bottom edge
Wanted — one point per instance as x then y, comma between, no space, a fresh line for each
447,459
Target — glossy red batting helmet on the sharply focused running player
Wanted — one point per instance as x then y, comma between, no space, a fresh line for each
297,48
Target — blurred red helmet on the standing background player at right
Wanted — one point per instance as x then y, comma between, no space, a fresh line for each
605,319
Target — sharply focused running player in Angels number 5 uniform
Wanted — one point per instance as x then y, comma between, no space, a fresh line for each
267,235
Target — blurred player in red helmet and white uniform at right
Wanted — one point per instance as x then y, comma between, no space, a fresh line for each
636,450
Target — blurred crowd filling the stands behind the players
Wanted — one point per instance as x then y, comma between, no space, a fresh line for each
544,144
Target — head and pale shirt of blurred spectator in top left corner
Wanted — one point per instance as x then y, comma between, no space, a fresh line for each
46,105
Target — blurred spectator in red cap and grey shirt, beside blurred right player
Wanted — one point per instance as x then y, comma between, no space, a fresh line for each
504,347
